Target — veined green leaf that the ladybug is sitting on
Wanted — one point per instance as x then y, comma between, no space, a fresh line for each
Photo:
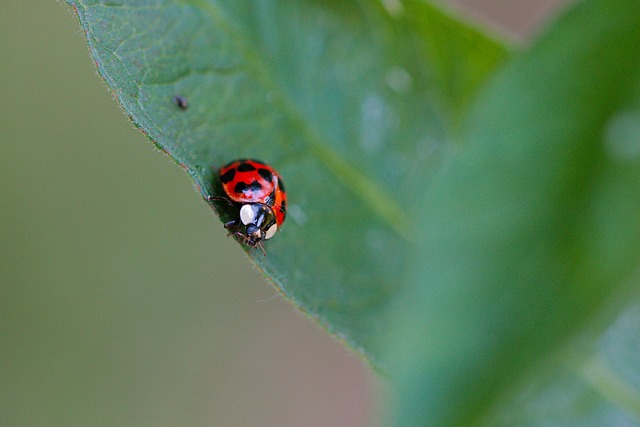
340,97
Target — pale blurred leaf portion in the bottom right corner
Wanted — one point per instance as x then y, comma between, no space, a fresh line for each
597,384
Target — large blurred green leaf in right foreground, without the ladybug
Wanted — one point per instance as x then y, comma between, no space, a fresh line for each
531,227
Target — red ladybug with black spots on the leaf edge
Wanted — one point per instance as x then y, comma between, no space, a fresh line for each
257,190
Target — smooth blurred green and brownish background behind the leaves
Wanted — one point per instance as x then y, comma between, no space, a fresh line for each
115,308
